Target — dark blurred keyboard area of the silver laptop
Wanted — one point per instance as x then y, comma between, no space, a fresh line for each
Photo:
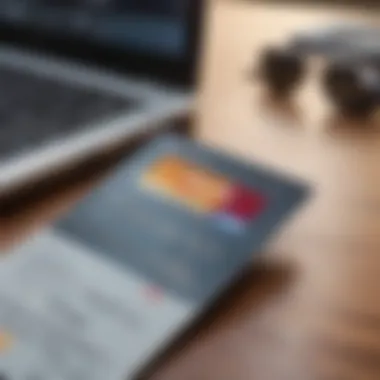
35,110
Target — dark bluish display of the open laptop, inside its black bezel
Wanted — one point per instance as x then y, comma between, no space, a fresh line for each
150,27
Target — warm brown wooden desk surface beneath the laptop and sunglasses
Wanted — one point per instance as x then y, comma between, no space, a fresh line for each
325,323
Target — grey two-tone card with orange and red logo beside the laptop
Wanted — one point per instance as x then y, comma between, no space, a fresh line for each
99,294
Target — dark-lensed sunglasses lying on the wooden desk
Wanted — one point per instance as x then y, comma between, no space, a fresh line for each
352,78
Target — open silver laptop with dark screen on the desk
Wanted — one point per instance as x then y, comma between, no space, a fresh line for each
79,76
